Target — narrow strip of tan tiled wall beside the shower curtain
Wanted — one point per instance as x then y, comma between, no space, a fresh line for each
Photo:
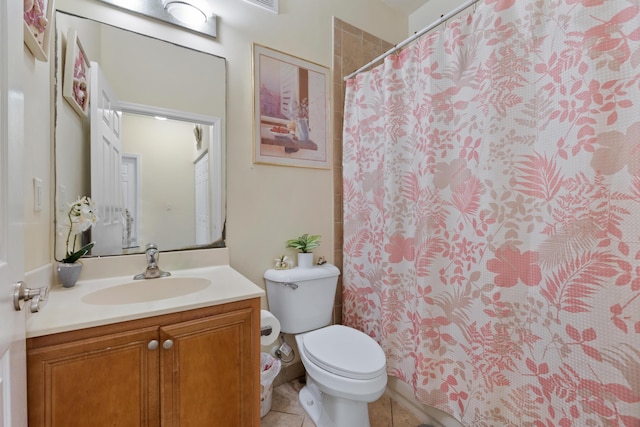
352,48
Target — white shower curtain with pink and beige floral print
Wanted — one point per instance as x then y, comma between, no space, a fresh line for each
492,213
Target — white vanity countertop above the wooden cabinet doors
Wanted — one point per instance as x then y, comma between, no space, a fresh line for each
79,307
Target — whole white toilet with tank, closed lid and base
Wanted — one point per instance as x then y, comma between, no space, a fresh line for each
346,369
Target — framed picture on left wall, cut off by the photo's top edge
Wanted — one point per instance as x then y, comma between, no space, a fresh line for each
37,27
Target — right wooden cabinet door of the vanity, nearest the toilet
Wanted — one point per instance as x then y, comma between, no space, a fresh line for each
210,374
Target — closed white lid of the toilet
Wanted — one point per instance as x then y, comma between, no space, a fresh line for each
346,352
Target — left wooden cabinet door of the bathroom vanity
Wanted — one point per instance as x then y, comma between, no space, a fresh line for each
111,380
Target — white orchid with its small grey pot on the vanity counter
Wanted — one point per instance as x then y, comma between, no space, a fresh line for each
80,217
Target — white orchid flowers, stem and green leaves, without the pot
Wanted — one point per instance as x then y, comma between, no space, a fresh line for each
81,216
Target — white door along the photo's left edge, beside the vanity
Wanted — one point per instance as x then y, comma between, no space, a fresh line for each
13,377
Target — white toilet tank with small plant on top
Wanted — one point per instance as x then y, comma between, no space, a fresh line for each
302,298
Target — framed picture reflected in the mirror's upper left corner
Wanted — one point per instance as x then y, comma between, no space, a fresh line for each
75,87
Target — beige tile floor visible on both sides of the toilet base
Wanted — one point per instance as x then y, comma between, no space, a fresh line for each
287,412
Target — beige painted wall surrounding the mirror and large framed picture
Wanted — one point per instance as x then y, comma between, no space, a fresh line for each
266,205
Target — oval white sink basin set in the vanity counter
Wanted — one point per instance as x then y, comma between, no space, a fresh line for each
146,290
